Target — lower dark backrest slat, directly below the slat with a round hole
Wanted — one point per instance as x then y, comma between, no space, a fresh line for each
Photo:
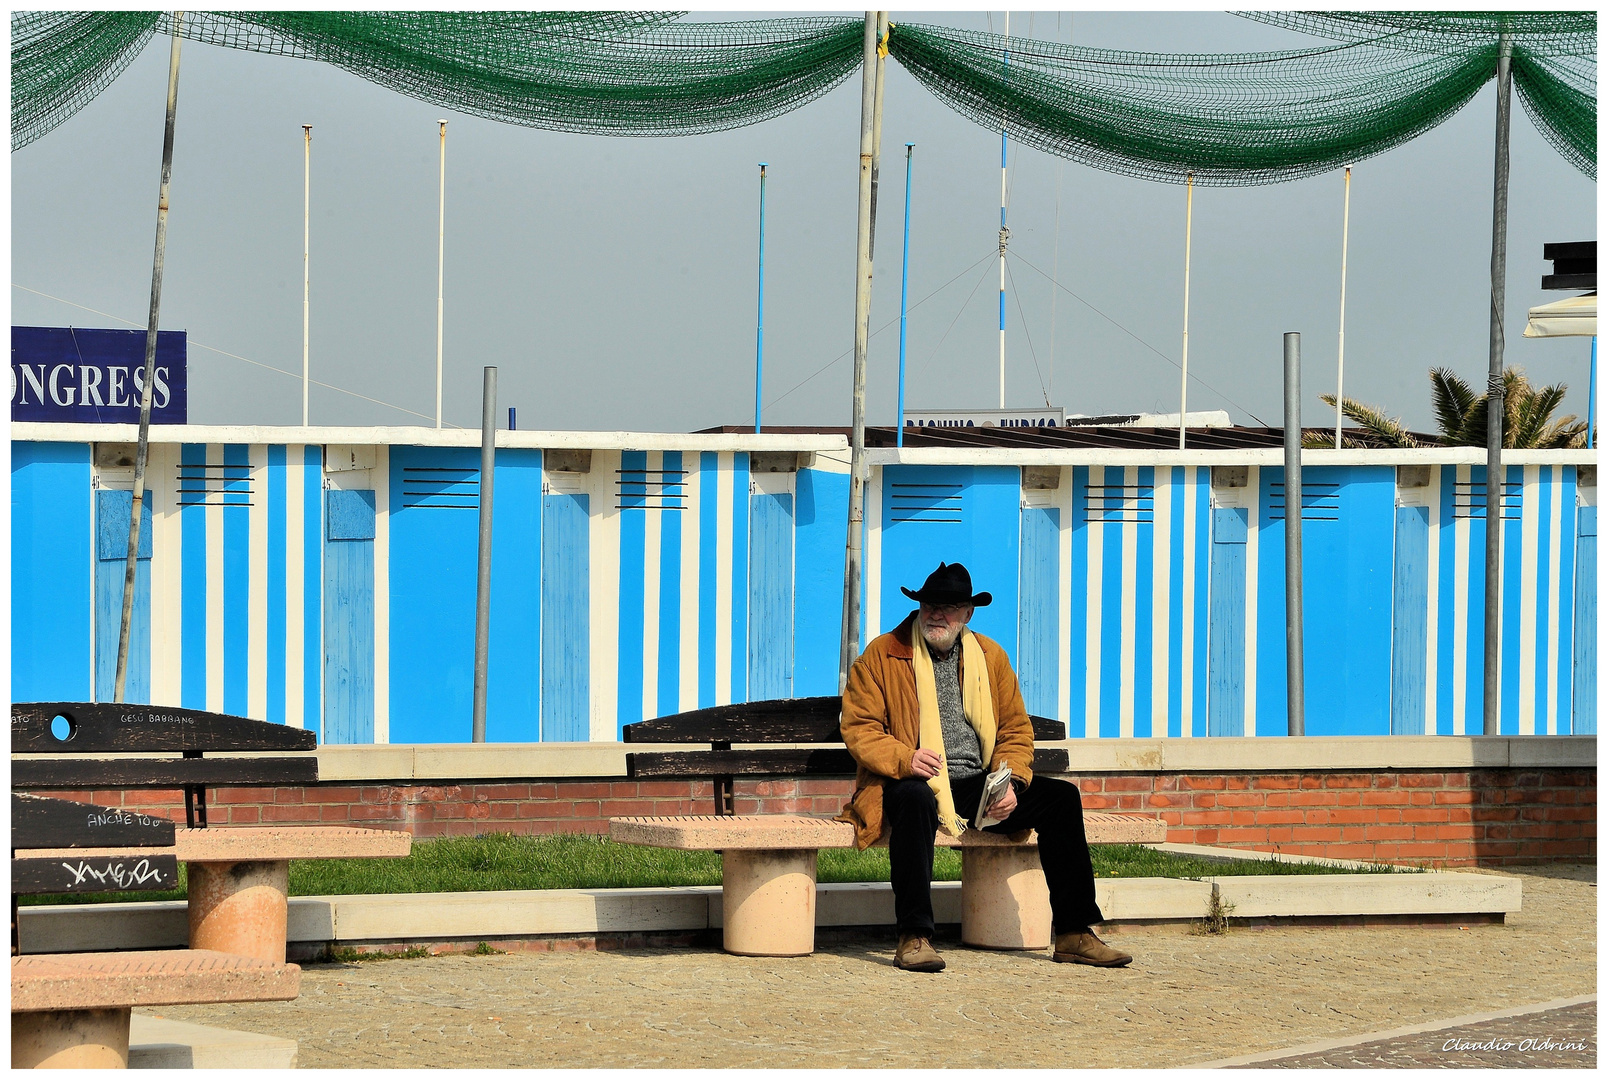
91,774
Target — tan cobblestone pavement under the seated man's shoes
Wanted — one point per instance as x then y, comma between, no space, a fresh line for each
1186,999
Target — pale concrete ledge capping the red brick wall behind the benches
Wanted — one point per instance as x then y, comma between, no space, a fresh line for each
454,764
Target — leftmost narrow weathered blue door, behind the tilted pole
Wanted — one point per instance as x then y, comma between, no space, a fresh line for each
112,562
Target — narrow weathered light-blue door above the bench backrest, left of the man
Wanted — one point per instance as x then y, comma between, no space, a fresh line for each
771,595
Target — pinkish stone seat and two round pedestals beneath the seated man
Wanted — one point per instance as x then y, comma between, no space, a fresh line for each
768,873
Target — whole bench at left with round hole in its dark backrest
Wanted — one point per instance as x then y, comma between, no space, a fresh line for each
239,878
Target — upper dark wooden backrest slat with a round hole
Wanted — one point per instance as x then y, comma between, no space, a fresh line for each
133,729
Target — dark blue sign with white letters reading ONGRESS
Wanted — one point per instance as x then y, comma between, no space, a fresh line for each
96,377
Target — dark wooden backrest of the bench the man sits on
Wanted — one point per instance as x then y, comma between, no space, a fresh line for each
758,724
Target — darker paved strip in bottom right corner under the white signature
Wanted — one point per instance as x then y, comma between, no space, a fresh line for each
1553,1039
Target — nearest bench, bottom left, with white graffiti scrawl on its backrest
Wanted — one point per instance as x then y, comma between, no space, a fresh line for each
72,1012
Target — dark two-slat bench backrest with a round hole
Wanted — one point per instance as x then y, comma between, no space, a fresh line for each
97,747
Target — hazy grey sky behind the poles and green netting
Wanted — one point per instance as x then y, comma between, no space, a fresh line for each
613,280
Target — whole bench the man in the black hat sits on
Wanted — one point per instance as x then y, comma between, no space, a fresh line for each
768,867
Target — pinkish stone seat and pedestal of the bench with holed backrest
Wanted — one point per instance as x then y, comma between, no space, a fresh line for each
239,877
